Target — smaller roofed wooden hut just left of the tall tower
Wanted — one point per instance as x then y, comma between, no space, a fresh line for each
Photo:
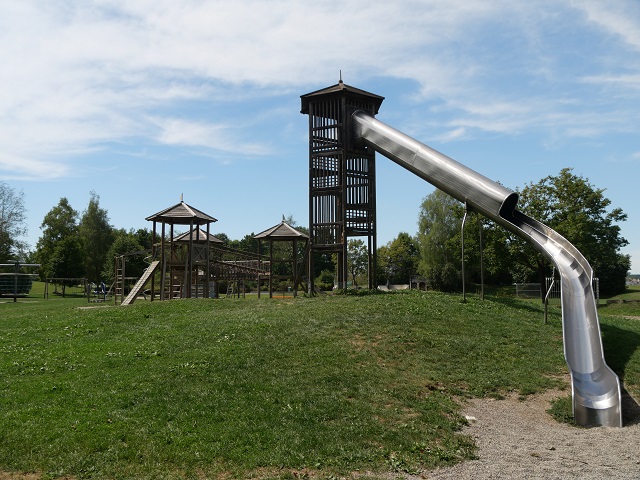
288,262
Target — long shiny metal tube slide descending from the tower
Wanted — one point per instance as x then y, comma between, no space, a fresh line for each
595,387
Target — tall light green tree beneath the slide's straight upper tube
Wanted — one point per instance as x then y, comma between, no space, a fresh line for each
439,225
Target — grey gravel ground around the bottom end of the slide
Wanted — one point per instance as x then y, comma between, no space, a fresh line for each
518,439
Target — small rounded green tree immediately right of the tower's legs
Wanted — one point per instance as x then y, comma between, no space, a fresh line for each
398,260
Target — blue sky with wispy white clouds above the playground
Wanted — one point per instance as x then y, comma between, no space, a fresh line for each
145,101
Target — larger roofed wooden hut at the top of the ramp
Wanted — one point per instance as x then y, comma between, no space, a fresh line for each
184,260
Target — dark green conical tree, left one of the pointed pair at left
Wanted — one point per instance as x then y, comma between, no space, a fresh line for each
59,223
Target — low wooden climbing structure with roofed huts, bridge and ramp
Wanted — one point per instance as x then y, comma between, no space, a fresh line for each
195,263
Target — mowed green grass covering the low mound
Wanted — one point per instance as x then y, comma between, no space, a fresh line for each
333,386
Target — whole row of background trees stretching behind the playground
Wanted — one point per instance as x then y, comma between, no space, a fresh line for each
83,245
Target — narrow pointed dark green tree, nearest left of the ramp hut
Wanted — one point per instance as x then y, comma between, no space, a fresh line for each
97,236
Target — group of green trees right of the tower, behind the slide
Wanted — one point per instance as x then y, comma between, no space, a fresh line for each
567,203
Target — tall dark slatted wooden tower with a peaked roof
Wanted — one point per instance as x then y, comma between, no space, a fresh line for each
342,187
